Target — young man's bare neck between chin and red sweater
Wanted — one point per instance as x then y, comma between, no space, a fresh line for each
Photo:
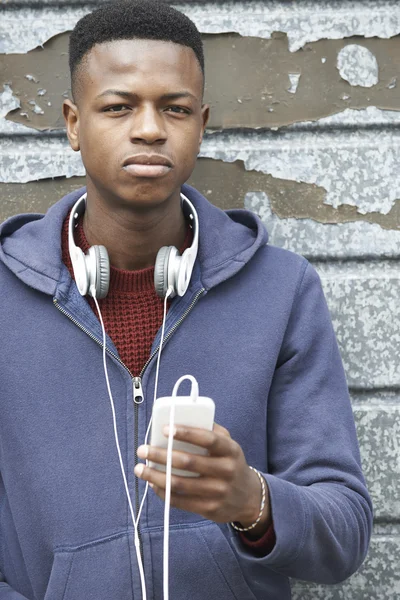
133,236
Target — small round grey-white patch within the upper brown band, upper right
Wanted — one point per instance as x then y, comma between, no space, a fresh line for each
358,66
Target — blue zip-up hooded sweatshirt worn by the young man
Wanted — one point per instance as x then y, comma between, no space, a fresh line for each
255,331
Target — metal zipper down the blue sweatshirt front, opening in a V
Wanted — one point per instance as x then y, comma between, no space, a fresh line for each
138,396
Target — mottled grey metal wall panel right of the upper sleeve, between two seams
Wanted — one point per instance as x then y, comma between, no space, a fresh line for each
363,300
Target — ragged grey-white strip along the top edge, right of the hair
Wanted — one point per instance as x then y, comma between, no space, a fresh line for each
304,22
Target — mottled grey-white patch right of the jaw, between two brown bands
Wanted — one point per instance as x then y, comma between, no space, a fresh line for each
355,169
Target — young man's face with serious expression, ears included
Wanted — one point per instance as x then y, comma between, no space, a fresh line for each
157,111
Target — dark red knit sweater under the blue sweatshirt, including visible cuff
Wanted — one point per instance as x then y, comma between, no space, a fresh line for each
132,314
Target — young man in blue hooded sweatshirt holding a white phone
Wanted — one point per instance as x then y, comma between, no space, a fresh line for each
280,492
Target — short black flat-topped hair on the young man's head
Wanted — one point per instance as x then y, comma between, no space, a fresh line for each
131,19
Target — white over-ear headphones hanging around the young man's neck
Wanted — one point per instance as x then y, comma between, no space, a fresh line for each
92,270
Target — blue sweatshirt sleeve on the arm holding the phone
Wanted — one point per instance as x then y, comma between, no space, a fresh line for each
321,509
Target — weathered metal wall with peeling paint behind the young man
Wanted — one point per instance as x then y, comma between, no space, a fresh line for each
304,131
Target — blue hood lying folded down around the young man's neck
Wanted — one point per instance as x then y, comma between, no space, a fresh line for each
30,244
